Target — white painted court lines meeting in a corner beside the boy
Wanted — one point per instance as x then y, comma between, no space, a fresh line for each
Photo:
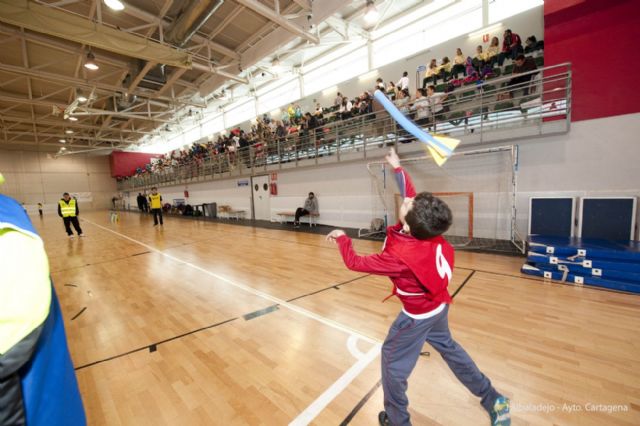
336,388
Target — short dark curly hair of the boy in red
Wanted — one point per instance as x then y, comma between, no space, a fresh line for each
429,217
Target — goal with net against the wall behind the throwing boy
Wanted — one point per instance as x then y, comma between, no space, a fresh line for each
479,186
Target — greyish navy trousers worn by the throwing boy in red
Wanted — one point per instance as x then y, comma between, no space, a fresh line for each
400,353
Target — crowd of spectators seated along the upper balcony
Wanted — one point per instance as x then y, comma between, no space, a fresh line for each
268,134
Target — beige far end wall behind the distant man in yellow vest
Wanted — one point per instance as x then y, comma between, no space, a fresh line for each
33,177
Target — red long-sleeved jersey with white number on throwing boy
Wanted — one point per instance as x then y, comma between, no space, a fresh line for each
420,270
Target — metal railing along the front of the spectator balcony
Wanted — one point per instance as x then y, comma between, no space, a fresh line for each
475,113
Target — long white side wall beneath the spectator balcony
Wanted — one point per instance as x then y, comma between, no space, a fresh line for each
596,158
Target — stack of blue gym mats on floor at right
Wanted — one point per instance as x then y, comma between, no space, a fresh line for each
609,264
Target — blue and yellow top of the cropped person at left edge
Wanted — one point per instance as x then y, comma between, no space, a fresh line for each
49,386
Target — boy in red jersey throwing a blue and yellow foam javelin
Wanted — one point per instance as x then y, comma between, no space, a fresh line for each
419,262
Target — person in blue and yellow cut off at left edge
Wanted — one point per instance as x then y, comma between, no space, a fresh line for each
37,382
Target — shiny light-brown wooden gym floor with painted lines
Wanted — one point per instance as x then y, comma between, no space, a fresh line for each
199,323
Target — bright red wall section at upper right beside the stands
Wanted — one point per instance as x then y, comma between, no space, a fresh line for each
601,39
